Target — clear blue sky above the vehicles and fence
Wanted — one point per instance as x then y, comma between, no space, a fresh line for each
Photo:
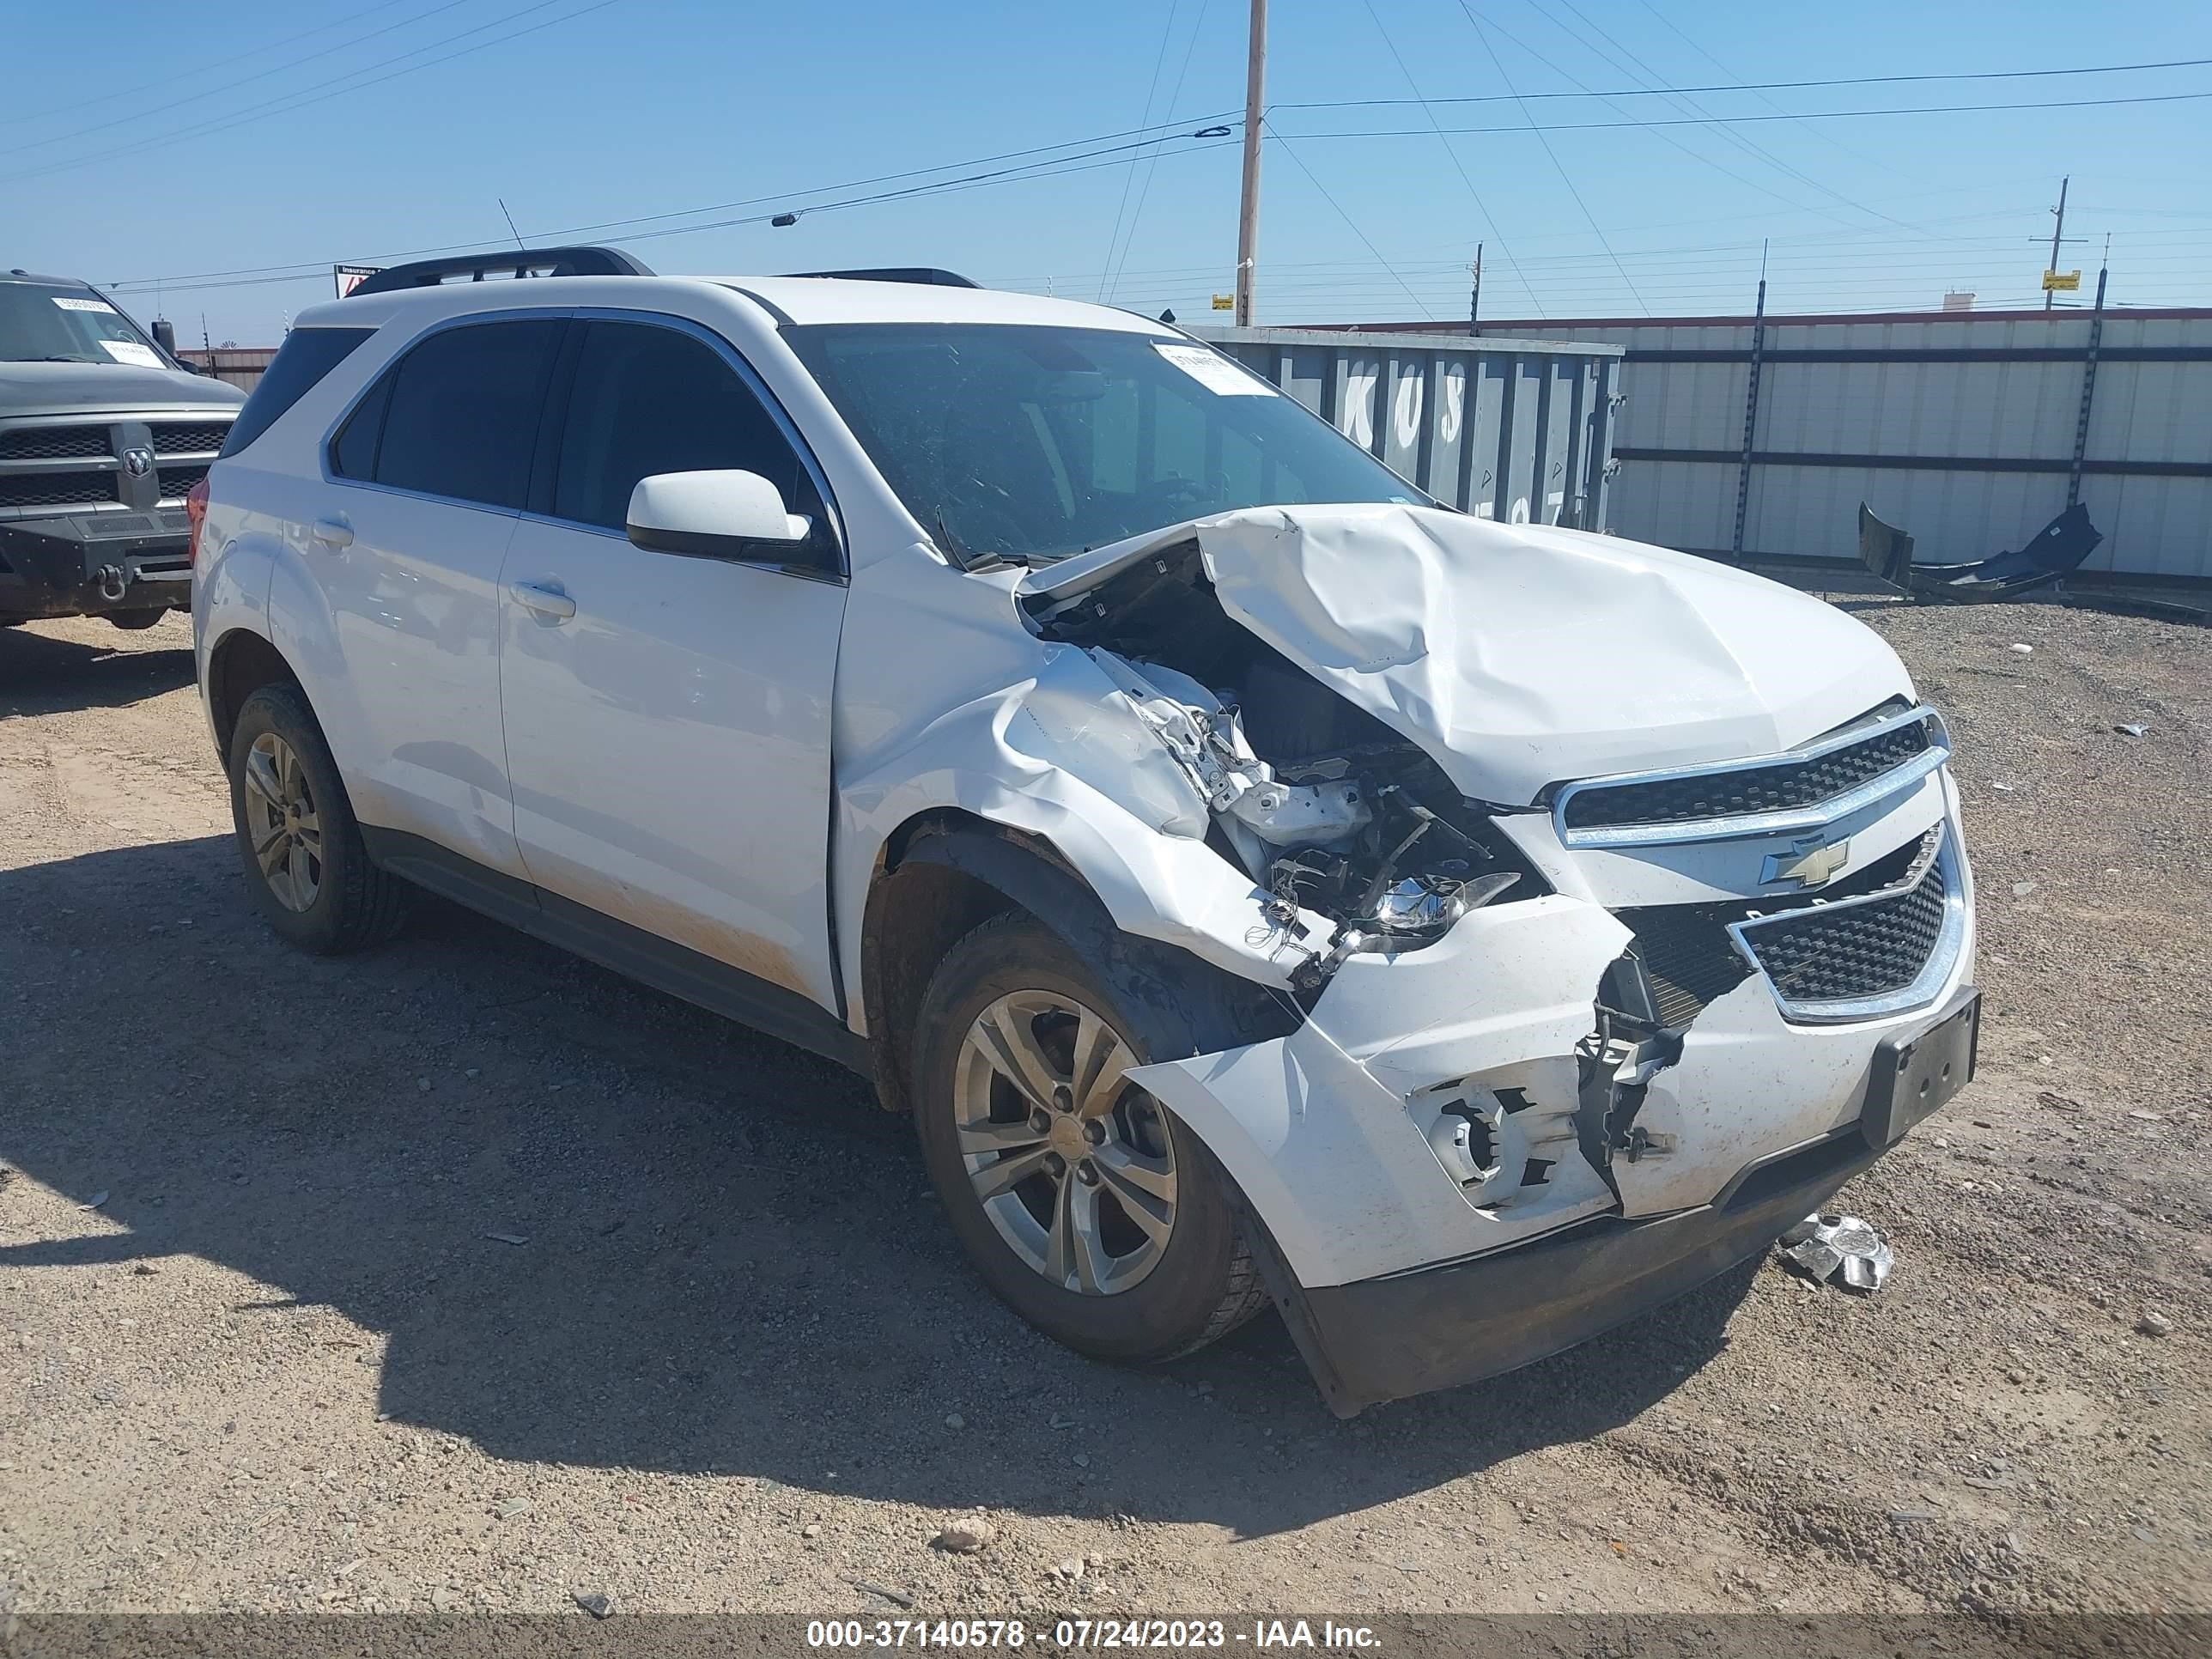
280,136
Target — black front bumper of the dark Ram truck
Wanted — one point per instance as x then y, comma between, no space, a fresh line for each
81,565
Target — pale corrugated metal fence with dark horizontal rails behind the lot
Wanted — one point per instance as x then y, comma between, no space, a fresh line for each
1959,428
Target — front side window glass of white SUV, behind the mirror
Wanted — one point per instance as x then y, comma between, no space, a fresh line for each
658,401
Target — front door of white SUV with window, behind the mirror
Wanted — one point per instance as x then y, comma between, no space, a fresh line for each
667,716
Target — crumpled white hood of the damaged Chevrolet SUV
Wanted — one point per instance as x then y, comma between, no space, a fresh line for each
1525,656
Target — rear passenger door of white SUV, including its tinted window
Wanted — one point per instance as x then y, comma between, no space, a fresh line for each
428,477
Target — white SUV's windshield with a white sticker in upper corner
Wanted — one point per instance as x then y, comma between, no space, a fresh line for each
1034,444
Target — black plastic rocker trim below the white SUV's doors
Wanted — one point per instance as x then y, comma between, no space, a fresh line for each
627,950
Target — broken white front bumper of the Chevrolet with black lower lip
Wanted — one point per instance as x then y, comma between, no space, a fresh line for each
1401,1273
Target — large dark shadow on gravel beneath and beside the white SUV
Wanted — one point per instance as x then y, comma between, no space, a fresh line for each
578,1222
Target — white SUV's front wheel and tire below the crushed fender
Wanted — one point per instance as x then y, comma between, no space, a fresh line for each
1138,1297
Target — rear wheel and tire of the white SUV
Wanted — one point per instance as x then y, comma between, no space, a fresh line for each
324,895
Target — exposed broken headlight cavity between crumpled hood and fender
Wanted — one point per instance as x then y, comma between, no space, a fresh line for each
1324,806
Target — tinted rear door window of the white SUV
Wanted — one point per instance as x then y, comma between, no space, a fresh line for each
459,415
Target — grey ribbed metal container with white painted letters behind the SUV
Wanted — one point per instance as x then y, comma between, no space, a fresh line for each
1494,428
